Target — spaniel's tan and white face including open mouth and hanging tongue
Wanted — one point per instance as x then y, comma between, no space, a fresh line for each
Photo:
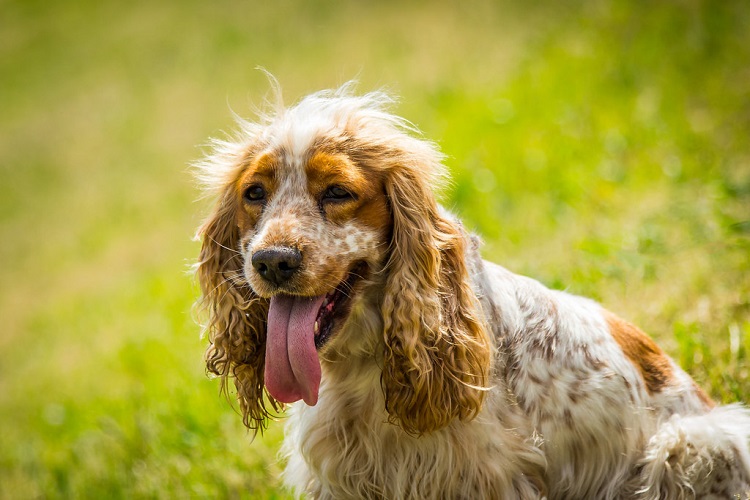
313,227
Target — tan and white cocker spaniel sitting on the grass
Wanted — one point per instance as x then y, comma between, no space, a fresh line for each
330,275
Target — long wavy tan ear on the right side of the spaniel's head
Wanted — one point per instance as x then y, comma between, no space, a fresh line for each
437,355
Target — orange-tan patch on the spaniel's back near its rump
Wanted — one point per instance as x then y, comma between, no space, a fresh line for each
653,364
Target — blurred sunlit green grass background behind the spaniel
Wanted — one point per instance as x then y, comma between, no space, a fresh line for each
601,147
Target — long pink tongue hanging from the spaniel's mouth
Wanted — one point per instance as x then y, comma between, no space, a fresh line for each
292,365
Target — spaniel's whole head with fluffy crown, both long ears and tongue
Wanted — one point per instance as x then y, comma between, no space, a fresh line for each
318,205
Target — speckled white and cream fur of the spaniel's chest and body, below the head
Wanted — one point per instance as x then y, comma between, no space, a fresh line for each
344,447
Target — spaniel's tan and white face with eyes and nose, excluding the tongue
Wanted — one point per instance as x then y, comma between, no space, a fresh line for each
306,223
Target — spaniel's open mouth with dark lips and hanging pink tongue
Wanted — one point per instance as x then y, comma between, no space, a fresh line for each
297,328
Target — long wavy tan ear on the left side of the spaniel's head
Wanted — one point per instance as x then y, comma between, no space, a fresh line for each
236,325
